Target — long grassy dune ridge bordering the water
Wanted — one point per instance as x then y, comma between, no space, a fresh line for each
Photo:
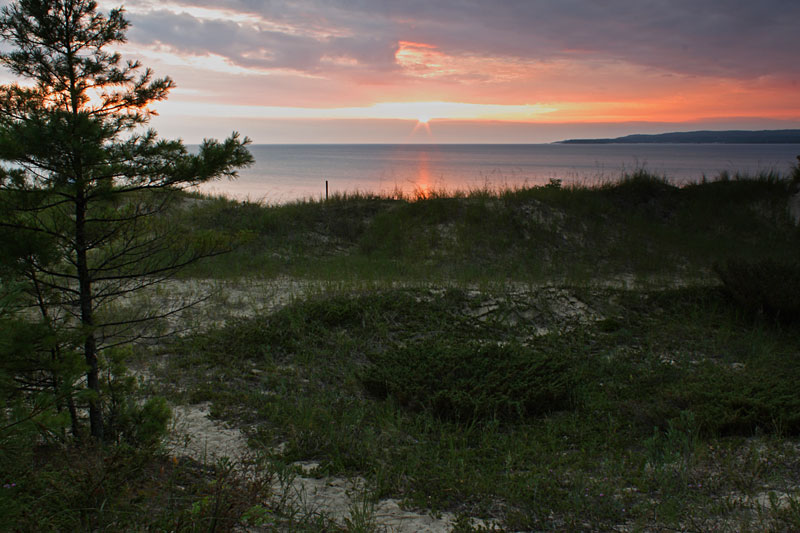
640,226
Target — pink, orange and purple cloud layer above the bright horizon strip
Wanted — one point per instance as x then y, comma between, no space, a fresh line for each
590,61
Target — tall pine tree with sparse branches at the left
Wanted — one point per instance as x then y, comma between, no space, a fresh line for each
84,178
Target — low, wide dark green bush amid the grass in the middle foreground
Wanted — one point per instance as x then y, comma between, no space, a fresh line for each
471,381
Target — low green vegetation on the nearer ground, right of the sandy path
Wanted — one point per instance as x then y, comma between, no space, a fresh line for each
675,406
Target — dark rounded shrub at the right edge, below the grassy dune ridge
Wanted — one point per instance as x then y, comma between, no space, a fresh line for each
767,286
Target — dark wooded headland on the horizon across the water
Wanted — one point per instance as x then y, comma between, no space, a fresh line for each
701,137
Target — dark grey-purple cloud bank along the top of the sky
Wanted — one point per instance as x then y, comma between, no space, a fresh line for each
737,39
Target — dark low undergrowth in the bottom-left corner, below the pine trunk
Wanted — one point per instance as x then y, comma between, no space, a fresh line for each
120,488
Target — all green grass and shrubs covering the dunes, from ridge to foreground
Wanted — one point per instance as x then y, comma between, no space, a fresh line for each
616,358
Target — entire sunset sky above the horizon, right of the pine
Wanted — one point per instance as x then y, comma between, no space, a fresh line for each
501,71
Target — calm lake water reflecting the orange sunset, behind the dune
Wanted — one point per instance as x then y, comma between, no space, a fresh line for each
288,172
